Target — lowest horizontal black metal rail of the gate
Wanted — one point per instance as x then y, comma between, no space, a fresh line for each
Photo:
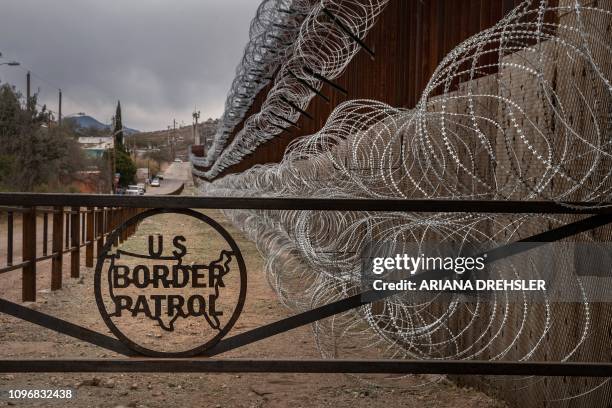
237,365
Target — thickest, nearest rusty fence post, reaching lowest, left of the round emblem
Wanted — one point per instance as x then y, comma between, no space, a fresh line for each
28,238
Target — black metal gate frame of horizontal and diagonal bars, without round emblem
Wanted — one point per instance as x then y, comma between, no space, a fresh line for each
603,216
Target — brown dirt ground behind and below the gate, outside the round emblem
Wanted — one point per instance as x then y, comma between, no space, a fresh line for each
76,303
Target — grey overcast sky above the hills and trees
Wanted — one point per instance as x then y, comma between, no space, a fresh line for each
159,57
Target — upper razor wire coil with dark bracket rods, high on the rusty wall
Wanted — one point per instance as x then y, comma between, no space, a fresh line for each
321,49
